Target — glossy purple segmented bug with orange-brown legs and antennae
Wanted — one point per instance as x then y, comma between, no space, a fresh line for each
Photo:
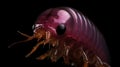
72,36
